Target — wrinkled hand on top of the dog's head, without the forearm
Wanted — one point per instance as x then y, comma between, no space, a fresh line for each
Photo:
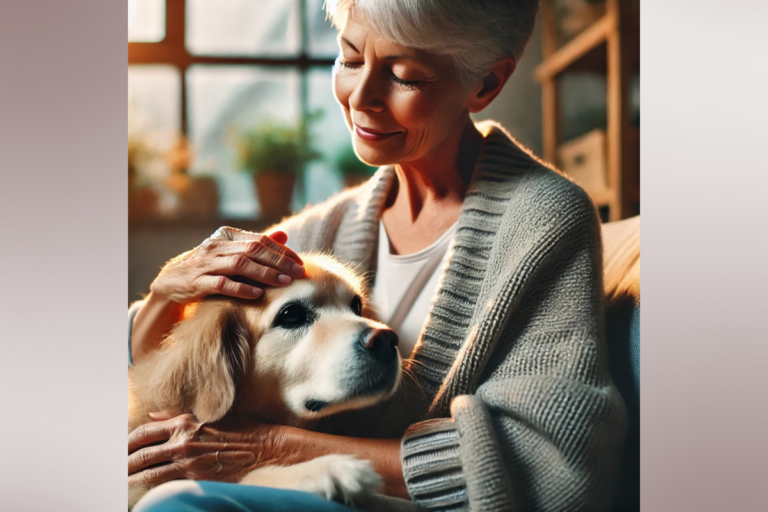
208,269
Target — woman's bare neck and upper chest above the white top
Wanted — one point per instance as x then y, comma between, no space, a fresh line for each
427,194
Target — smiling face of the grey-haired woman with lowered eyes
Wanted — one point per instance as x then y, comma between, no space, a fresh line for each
400,104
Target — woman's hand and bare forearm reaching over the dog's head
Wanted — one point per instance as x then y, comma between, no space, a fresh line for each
211,269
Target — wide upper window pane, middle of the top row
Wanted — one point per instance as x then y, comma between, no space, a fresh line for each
243,27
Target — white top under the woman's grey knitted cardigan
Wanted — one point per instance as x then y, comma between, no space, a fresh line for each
405,285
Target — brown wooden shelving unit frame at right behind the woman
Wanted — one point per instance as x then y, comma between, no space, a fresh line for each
610,45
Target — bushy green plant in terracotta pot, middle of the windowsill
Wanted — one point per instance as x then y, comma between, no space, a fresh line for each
275,154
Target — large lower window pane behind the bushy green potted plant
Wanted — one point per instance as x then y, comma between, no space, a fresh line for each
225,102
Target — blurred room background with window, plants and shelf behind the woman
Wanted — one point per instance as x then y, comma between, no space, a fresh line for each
232,119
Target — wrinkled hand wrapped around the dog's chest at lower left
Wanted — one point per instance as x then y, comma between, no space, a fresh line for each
187,449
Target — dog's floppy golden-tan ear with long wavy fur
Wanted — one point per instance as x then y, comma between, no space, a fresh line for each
207,355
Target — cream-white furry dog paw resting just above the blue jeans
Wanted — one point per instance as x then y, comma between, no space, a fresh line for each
335,477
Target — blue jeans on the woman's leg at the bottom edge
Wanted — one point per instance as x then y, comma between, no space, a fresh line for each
191,496
